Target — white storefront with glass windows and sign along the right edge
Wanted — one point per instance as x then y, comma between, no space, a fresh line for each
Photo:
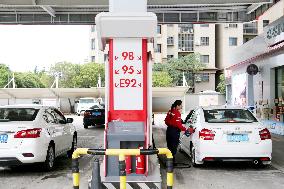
256,76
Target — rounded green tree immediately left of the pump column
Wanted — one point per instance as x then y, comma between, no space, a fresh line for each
89,74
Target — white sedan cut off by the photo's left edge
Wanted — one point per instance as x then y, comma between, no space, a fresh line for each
33,134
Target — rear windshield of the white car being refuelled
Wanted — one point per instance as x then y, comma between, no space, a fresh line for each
229,116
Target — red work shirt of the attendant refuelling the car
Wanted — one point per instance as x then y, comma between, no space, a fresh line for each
174,119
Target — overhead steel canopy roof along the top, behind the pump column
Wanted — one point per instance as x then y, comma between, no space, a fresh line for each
167,11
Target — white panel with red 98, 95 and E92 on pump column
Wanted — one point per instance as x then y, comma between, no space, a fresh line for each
127,74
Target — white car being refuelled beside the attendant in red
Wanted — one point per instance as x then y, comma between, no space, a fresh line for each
227,134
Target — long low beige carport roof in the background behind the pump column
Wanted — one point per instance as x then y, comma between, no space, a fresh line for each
33,93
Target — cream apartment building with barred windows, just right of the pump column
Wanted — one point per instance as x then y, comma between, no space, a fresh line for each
175,40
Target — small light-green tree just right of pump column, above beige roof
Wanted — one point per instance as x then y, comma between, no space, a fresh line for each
161,79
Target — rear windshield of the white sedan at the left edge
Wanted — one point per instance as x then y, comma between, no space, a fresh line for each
18,114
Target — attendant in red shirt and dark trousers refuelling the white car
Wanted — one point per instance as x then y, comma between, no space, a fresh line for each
175,126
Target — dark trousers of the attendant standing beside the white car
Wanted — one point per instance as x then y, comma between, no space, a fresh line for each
172,136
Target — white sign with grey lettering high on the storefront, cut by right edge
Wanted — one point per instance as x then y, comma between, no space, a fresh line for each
275,32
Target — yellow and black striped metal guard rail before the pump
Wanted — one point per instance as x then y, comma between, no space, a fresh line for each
121,153
